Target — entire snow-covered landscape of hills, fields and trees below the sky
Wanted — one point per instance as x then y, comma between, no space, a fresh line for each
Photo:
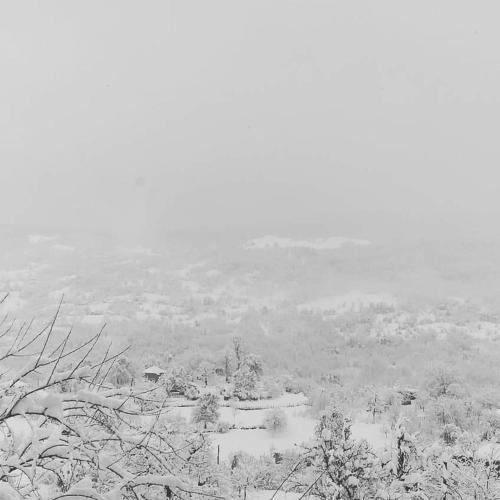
294,359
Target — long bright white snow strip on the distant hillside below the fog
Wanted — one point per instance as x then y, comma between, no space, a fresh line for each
331,243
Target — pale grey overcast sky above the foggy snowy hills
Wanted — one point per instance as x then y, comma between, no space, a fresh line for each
212,113
